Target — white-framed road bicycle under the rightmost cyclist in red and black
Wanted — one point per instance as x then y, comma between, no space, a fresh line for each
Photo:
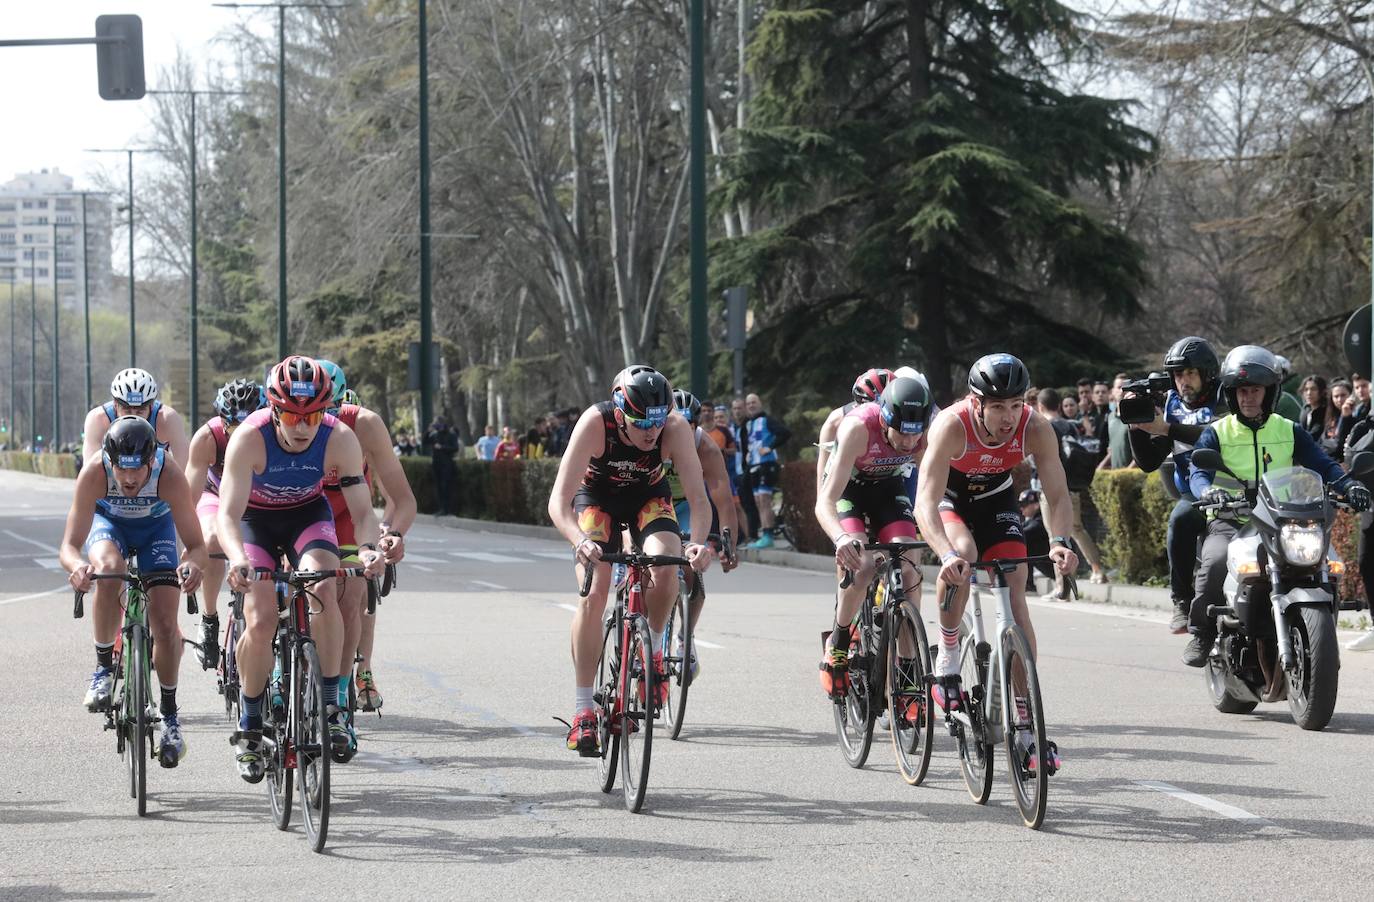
998,698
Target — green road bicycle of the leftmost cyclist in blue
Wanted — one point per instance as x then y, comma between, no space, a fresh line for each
131,713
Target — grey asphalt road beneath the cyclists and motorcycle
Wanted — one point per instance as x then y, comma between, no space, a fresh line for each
464,787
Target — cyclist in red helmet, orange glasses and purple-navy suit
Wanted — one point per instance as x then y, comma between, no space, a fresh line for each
273,505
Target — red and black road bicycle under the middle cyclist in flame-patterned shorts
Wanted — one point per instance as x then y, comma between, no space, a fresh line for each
627,694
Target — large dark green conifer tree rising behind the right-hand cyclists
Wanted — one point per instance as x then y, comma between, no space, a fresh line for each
925,175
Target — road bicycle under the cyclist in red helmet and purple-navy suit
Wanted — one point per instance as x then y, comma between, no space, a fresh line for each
299,729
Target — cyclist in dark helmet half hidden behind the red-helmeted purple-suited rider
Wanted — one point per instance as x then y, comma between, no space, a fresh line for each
204,471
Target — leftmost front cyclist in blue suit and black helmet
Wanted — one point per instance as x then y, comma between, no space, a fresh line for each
134,498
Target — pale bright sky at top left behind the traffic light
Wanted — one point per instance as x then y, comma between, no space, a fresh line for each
53,109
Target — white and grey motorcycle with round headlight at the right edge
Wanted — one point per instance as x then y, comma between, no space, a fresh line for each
1277,633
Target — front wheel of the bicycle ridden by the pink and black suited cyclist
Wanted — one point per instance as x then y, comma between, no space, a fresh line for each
909,705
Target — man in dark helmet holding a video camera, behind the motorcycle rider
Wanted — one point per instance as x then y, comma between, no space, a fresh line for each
1189,408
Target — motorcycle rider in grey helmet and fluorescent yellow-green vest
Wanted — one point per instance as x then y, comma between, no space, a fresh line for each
1252,442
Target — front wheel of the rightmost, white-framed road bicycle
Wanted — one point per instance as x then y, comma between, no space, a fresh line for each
1027,758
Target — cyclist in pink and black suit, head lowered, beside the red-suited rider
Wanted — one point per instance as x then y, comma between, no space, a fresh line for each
865,496
